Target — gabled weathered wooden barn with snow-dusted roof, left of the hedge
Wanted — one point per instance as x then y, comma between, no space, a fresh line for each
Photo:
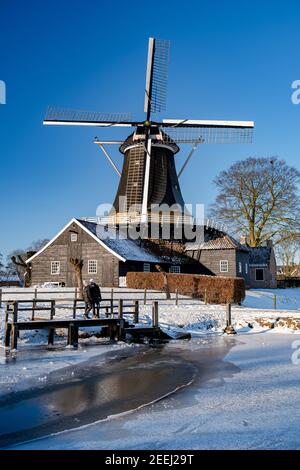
107,257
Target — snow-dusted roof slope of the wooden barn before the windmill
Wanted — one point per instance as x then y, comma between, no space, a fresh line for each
117,242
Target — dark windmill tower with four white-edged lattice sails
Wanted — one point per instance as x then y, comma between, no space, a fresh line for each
149,177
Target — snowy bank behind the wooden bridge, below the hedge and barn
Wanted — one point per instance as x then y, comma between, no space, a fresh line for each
191,315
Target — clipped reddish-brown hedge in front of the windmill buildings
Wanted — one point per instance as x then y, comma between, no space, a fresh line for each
213,289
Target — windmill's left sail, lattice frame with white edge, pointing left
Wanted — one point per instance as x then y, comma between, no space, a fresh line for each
75,117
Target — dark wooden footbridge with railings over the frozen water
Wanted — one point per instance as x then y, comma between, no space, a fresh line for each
113,324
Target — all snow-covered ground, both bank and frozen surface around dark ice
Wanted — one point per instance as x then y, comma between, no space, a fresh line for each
252,401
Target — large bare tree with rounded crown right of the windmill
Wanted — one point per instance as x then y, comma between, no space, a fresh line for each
258,198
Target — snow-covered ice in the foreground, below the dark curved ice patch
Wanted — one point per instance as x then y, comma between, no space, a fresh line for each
252,402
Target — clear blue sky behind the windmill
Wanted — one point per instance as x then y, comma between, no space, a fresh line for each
229,60
